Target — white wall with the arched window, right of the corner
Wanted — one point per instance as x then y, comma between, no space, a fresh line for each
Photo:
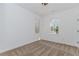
68,27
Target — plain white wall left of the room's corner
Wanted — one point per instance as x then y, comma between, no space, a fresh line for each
18,25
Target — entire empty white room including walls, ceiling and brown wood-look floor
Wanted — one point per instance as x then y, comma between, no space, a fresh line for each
39,29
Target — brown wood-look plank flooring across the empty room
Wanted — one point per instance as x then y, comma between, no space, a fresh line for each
43,48
